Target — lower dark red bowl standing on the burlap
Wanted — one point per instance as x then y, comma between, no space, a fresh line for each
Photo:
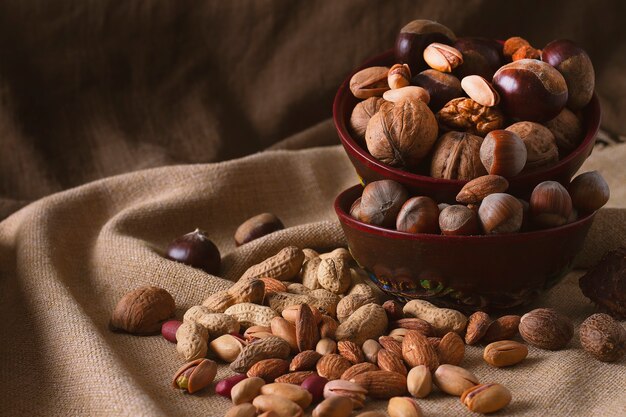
466,272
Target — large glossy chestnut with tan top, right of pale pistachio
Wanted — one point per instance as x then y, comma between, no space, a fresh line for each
530,90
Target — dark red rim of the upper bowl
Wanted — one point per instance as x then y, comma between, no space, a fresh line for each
592,117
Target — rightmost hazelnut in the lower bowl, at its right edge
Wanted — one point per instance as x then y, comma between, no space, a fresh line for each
589,191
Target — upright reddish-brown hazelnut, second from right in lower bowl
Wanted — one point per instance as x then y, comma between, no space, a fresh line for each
550,205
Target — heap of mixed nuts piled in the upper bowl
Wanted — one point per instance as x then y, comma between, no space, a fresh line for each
472,106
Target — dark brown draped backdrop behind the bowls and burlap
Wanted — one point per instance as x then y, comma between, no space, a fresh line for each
94,89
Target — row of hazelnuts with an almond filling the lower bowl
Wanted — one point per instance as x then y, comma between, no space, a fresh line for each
484,206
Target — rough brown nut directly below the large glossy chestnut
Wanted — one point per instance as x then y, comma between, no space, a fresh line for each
541,149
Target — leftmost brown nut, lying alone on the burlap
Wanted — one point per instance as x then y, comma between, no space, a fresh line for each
142,311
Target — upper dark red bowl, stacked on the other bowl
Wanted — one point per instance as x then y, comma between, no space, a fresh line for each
370,169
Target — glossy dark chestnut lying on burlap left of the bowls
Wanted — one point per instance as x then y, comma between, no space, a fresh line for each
197,250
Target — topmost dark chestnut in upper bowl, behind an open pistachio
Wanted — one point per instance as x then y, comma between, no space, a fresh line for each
415,36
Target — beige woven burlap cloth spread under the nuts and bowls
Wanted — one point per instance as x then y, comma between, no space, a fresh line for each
67,259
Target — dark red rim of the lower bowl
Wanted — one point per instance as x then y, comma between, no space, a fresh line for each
348,220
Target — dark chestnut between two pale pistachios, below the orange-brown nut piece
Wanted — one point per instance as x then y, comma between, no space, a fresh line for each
481,56
